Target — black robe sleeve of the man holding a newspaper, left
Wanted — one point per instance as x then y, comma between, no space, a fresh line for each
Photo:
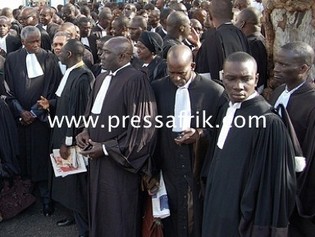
77,104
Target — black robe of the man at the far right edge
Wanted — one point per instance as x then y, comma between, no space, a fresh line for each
301,109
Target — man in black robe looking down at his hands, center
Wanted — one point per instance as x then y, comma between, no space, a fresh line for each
180,159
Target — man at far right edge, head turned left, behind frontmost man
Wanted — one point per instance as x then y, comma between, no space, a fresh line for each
293,63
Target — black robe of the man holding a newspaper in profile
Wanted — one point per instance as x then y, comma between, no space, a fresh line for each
71,191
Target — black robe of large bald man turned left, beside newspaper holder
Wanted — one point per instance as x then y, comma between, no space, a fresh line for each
114,180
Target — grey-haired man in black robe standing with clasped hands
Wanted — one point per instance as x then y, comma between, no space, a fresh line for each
32,72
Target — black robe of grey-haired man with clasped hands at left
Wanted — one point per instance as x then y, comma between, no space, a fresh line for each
24,93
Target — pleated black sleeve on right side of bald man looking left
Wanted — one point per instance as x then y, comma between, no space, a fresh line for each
132,150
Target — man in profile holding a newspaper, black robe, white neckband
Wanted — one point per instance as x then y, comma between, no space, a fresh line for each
72,97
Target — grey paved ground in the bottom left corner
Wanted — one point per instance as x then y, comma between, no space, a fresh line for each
32,223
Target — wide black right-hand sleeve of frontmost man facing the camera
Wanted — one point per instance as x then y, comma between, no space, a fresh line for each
269,195
